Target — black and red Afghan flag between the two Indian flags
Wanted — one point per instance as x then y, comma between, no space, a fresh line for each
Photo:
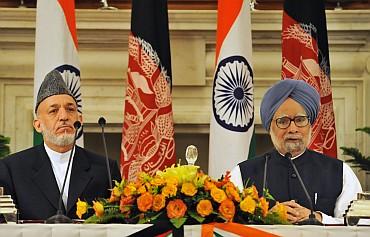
148,134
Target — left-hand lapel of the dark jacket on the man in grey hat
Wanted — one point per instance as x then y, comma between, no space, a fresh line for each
43,177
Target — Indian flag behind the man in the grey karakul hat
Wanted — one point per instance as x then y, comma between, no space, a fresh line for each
56,48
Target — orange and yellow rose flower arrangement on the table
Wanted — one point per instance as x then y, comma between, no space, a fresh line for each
182,194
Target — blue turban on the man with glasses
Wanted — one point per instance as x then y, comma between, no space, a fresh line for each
298,90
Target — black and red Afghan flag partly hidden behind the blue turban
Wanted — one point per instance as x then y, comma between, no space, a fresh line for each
305,56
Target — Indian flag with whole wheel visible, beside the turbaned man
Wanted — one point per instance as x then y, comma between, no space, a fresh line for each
232,118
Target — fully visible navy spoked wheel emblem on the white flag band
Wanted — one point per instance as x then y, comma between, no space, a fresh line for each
232,100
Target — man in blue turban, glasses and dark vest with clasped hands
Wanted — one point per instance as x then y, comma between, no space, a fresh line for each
288,110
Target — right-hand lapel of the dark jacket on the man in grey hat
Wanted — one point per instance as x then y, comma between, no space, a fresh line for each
80,177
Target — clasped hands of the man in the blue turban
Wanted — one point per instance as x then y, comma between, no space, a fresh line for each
297,212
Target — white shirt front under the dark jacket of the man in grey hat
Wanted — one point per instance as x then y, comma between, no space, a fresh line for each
59,163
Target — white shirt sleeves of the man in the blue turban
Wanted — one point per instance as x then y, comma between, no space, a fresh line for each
351,186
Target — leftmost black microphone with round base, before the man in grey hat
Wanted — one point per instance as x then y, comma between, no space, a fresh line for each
60,217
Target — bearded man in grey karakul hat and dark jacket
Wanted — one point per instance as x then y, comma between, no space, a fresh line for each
34,177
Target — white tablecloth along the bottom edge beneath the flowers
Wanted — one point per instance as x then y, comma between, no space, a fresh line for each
118,230
